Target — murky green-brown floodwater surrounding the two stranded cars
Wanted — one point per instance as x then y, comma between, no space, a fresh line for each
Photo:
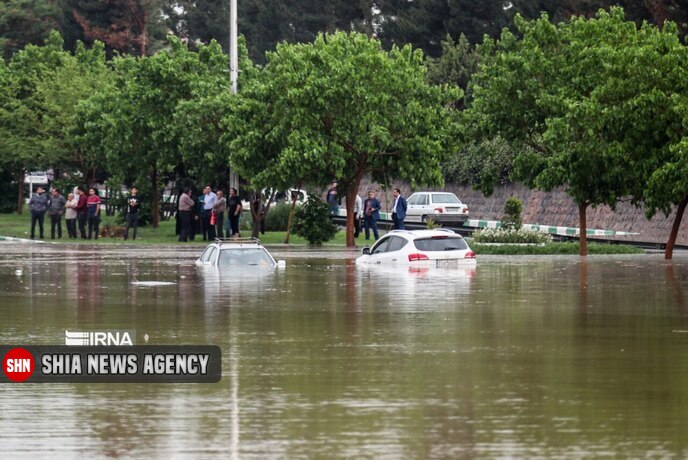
519,357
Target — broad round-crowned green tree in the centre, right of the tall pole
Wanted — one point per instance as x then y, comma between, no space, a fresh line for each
342,107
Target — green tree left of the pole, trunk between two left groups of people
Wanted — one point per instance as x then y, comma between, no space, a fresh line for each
134,125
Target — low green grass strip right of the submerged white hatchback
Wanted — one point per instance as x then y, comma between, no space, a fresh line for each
553,249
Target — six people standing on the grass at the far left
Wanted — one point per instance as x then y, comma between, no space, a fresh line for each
79,211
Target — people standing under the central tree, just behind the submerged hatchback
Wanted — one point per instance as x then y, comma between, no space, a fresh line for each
369,211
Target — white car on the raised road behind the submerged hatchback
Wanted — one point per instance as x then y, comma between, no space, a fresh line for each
442,207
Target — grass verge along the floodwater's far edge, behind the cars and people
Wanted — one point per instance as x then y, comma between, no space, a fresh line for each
19,226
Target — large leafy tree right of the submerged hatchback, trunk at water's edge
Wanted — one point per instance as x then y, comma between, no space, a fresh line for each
562,91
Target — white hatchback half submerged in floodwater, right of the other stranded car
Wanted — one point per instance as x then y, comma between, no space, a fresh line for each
421,248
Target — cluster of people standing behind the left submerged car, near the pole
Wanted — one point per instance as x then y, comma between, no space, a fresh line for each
209,210
